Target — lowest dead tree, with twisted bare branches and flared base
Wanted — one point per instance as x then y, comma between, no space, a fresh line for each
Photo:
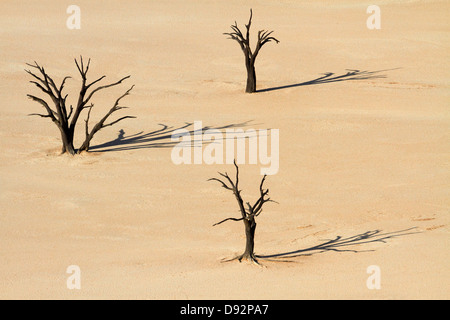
248,212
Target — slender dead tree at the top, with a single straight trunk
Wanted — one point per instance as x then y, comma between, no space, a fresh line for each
250,57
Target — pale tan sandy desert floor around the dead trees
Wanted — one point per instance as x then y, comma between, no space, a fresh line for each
363,162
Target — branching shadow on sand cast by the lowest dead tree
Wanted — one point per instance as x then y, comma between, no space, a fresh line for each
340,244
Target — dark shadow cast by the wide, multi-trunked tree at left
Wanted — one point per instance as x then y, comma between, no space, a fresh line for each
160,138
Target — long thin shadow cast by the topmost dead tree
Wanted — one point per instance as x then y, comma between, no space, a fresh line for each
332,77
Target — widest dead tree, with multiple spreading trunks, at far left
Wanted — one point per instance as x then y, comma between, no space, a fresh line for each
66,118
